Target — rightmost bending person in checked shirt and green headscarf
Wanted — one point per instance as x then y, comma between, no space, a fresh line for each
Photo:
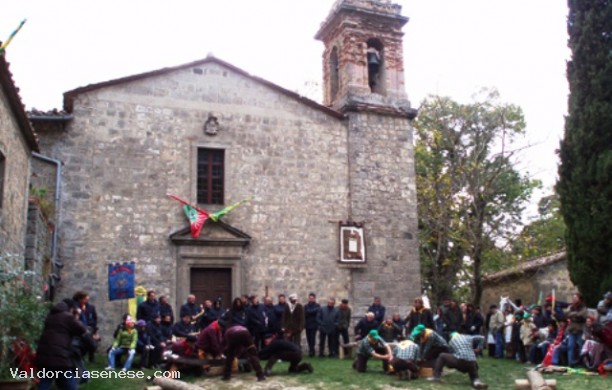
463,358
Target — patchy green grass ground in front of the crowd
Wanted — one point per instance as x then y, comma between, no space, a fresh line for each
332,374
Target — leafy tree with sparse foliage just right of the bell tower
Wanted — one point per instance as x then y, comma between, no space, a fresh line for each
469,195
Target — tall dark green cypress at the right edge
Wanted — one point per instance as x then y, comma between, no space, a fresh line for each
585,173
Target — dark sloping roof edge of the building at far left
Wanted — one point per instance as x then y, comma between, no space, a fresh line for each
16,105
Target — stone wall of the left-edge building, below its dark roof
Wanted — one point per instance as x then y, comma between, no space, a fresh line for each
16,176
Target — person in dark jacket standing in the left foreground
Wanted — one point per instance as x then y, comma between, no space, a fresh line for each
55,347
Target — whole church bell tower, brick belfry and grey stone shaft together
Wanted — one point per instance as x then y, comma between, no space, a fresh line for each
363,74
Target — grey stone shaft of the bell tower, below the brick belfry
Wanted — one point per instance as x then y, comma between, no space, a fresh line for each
383,195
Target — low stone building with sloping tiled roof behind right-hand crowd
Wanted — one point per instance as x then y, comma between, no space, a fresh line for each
529,278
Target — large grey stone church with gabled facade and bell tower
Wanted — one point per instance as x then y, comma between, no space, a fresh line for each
213,134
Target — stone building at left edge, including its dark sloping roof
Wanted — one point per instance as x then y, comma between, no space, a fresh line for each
17,142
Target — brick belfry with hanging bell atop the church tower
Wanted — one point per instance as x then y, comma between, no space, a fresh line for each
363,59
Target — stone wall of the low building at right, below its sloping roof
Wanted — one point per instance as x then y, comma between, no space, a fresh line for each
527,286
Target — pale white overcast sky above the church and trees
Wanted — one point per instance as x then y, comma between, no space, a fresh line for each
451,48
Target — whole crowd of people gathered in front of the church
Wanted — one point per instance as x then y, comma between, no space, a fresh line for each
454,335
